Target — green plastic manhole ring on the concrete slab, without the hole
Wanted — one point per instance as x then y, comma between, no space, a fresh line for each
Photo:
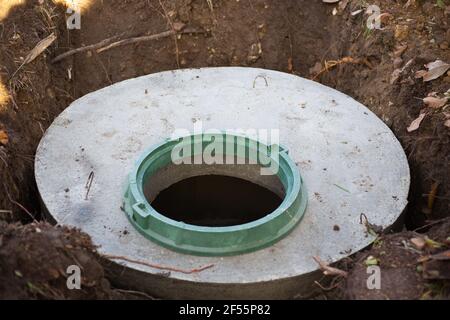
215,241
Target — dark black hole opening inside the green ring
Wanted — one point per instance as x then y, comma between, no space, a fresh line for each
216,201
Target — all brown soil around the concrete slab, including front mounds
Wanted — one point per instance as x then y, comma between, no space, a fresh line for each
376,67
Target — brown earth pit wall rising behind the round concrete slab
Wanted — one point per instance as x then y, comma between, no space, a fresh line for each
290,36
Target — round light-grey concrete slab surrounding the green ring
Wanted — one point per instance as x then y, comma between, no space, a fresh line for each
350,161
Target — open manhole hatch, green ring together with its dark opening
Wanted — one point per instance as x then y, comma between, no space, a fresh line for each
225,195
